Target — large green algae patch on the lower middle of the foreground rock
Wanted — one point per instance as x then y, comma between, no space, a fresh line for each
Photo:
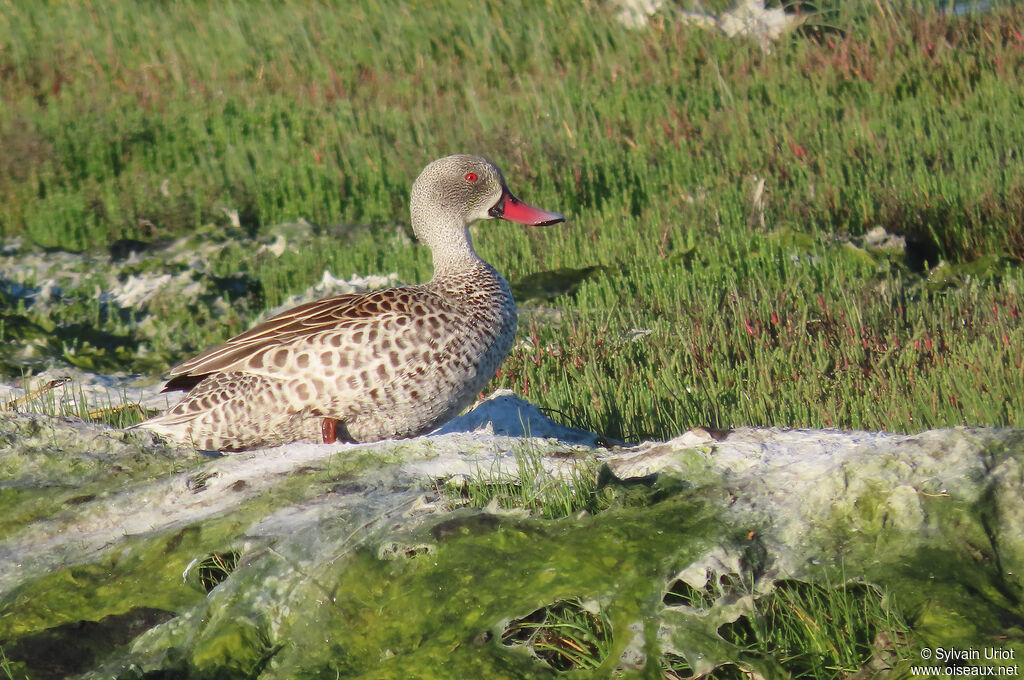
434,611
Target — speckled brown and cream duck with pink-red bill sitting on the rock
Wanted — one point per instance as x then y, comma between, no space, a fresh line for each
364,367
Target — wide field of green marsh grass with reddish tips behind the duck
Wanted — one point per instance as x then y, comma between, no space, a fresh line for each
149,123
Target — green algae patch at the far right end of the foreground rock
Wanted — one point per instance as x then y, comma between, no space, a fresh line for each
952,552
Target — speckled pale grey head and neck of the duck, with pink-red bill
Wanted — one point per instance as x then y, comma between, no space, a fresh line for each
453,193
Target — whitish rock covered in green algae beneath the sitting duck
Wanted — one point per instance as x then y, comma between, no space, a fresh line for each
350,561
